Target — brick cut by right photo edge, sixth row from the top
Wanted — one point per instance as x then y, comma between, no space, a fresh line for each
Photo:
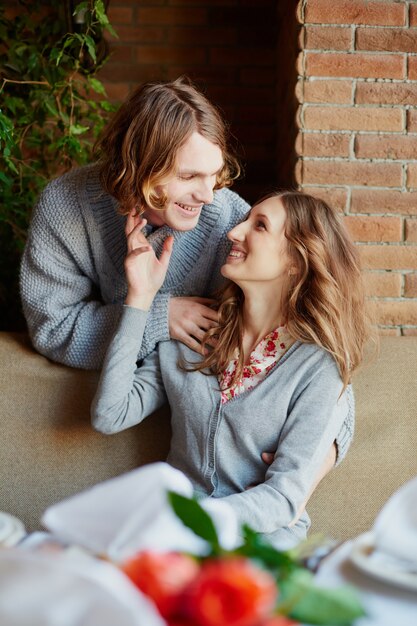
385,147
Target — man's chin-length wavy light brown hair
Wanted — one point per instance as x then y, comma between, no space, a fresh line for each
138,149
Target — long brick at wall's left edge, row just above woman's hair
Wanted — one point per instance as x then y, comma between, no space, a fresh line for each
324,172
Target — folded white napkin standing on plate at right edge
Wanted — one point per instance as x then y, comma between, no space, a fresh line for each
395,527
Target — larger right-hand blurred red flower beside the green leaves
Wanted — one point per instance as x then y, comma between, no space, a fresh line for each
231,591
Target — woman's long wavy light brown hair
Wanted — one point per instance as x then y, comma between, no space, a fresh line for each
324,303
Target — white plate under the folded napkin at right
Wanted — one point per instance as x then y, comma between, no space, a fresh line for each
363,556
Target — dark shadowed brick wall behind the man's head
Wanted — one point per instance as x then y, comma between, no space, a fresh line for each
242,53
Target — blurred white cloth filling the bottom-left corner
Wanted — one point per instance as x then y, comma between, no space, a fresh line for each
54,590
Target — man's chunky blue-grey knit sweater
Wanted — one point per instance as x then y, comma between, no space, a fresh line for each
72,275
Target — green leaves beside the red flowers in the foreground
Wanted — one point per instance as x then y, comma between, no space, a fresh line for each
299,597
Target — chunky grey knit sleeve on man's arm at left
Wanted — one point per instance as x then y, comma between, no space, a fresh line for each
67,320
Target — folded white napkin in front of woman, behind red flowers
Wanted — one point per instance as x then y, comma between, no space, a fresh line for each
123,515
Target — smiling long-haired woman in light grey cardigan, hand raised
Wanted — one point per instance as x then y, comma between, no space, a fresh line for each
276,372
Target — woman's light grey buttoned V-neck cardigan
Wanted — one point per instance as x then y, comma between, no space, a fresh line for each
295,411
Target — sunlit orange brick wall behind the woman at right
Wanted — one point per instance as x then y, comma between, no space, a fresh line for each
357,141
